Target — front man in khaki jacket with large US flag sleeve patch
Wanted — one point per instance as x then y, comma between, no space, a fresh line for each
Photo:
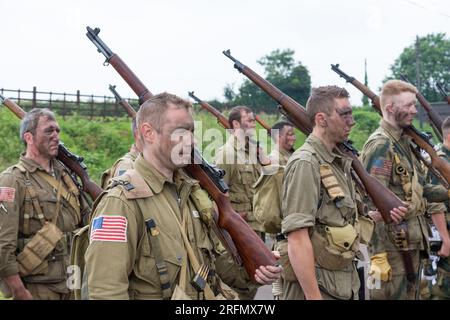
150,235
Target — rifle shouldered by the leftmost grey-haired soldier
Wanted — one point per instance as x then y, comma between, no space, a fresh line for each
71,161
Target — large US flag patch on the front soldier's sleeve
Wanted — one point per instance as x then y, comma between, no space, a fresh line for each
109,228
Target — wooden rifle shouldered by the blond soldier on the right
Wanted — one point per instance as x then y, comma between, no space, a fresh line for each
439,166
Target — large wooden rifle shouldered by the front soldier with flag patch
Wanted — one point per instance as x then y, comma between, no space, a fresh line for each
249,245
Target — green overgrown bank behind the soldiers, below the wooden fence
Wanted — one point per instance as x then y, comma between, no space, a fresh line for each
102,141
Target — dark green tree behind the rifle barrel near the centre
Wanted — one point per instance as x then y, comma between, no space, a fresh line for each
283,72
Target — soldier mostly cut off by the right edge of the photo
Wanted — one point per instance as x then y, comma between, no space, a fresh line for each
441,289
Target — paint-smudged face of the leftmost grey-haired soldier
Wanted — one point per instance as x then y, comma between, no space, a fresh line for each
46,139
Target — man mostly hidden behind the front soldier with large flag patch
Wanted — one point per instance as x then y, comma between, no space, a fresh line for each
124,163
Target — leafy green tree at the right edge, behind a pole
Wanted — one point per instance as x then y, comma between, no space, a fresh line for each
434,52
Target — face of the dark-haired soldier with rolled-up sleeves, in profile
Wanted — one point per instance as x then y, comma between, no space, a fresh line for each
341,121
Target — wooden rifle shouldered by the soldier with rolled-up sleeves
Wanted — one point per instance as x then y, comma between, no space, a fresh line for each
383,198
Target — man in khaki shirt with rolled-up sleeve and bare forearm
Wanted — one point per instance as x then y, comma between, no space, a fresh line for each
319,206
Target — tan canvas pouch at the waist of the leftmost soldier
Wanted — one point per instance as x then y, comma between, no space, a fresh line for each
35,254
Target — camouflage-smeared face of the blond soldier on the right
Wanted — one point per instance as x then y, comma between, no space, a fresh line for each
403,109
